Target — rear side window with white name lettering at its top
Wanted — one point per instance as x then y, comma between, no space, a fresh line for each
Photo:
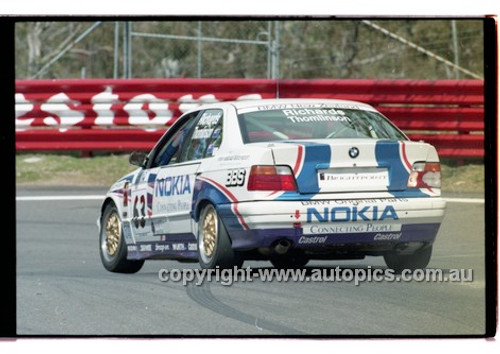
206,136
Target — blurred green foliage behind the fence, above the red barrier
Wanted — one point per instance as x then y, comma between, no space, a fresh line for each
324,48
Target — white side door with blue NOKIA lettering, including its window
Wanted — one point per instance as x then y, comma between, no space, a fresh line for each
174,183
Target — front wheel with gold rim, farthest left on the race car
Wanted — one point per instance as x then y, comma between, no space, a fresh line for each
112,248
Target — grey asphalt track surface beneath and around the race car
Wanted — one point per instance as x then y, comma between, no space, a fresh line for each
62,288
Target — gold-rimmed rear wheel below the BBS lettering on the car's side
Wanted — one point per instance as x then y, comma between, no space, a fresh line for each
214,245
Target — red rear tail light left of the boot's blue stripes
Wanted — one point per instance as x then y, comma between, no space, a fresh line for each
271,178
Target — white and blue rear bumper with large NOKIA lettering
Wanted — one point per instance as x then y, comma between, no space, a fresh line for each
320,224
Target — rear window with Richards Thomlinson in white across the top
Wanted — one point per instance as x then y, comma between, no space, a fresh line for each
315,123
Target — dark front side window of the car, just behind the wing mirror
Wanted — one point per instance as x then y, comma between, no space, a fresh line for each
170,152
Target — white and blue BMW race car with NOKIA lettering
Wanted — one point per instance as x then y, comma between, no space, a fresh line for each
284,180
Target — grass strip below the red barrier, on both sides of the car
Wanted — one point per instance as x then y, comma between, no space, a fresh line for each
71,170
